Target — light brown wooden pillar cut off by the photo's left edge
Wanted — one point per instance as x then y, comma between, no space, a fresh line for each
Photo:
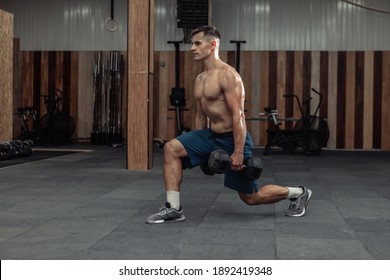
6,75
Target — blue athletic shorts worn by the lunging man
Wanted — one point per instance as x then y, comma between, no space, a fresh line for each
200,143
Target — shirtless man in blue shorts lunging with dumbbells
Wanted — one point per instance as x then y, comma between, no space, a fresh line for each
220,124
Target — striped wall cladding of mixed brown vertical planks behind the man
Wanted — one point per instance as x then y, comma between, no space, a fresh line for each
355,86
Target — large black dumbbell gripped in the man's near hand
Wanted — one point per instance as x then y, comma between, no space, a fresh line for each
219,163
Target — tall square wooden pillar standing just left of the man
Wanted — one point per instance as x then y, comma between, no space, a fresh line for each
140,84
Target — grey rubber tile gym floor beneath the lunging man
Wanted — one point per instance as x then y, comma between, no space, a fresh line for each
87,205
